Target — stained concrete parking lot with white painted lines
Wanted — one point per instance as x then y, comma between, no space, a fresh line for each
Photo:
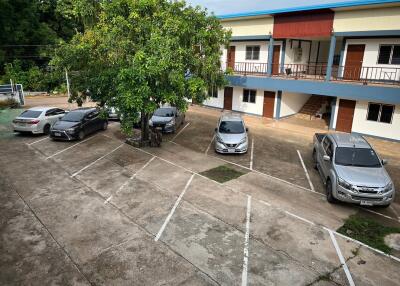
102,212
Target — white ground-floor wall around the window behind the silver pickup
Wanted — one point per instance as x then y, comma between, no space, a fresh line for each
364,126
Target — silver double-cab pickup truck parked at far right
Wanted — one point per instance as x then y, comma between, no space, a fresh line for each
351,170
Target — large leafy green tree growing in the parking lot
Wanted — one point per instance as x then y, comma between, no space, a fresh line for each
141,54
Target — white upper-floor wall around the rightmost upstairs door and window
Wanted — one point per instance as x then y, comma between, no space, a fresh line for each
371,54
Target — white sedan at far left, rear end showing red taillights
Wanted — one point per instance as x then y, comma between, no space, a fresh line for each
37,120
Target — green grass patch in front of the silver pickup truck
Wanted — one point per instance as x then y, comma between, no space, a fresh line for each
368,231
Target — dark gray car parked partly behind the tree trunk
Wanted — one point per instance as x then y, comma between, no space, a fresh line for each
167,118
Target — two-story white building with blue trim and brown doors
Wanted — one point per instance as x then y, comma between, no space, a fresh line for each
338,61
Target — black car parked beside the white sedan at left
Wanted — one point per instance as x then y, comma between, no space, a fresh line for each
78,123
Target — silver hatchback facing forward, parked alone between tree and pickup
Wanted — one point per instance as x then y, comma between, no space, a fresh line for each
231,135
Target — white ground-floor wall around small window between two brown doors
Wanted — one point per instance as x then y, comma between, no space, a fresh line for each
253,108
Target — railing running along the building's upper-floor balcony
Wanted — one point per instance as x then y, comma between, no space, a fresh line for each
317,72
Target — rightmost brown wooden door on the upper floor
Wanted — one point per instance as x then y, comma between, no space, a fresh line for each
354,59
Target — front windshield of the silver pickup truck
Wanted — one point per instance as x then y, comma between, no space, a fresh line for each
357,157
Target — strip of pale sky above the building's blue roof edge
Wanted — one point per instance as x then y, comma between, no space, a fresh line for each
222,7
